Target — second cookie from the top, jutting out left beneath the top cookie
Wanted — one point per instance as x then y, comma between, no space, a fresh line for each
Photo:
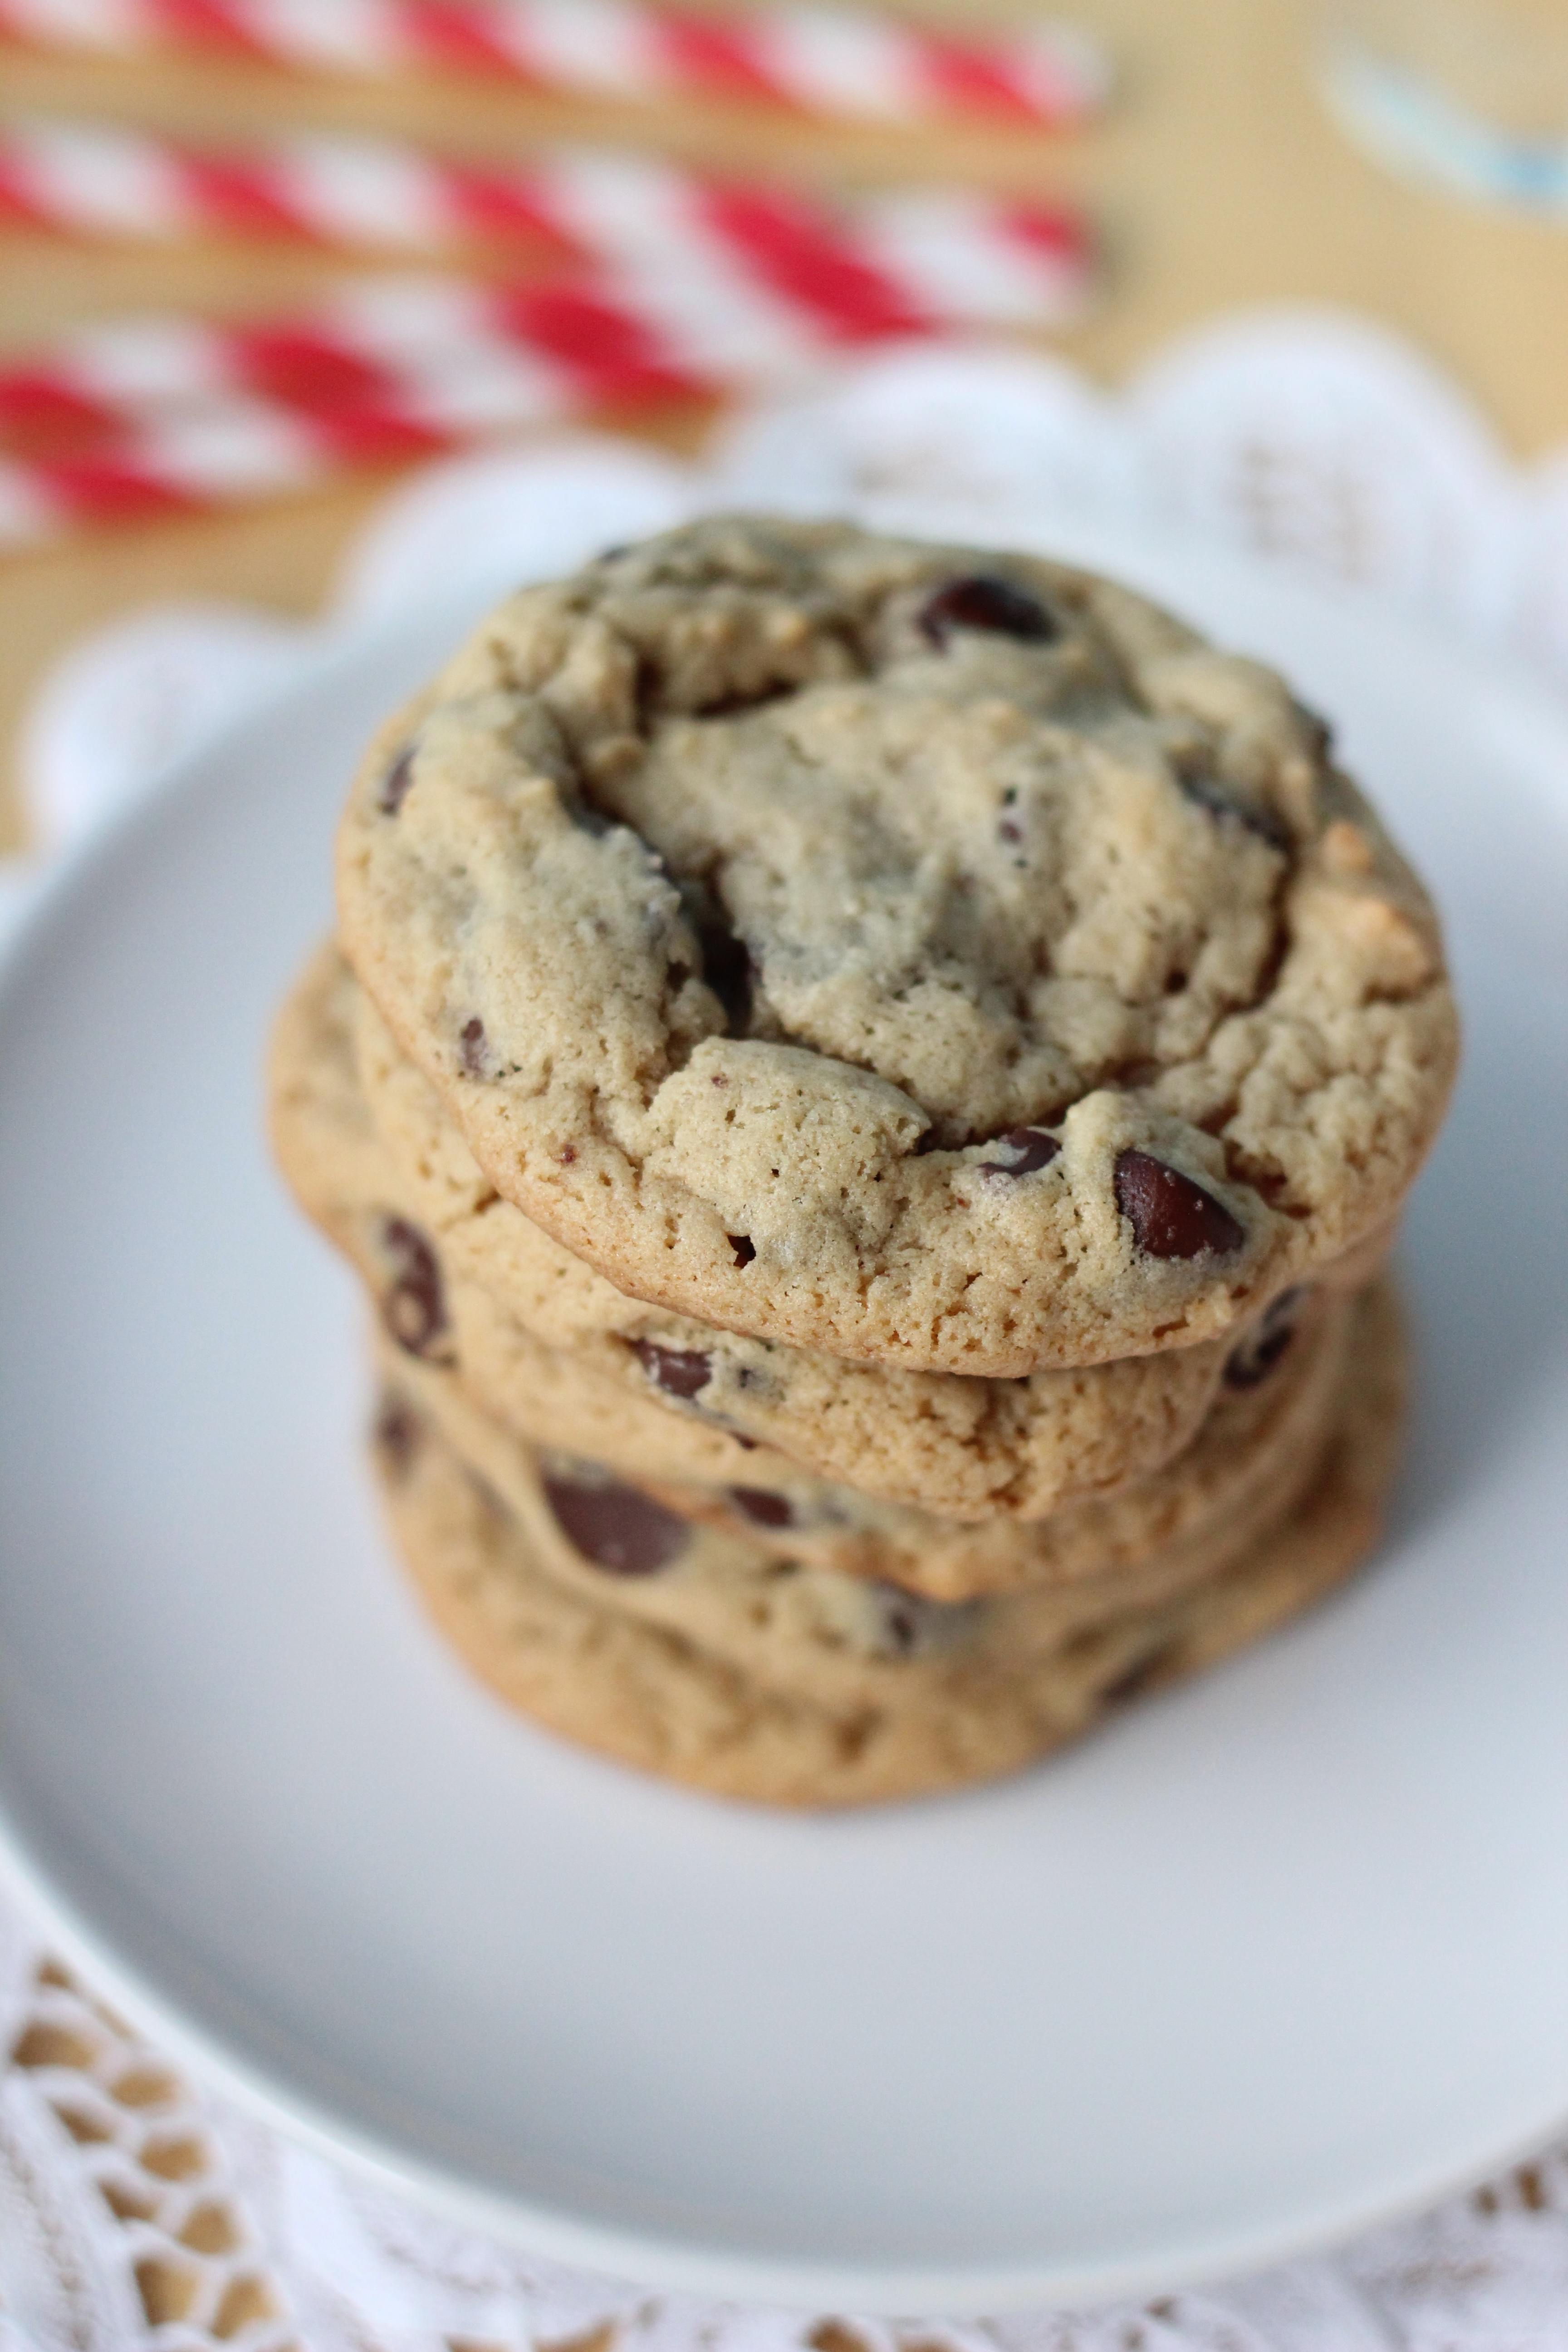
558,1349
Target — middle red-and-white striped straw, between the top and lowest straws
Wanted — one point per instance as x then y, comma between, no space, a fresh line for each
871,265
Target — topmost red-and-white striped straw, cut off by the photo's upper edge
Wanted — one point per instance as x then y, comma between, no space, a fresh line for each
812,60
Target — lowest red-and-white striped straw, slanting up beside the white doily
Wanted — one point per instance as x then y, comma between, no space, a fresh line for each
156,417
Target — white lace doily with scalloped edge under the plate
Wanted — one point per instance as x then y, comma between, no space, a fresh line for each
140,2212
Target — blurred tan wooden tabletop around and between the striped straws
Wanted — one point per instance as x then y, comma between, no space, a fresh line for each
1217,178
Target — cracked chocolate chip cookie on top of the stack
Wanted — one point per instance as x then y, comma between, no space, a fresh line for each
927,956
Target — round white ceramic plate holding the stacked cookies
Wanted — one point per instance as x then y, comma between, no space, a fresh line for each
1273,1958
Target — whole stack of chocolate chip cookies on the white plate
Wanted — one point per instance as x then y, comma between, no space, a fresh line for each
871,1088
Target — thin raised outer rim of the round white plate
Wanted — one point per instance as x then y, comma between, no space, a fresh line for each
669,2261
